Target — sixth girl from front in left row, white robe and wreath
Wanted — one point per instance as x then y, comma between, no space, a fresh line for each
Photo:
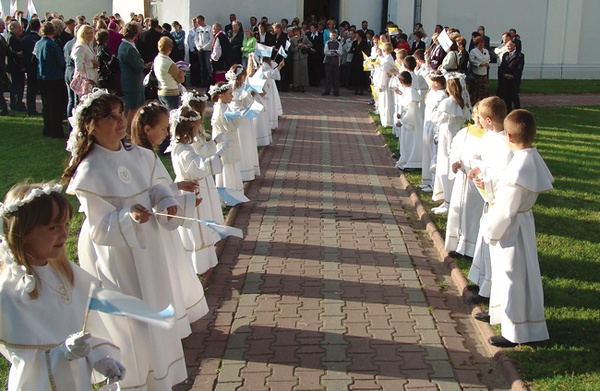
241,100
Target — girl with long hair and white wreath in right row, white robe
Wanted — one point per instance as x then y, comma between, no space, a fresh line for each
449,117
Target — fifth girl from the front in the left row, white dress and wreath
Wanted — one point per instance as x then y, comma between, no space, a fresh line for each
225,131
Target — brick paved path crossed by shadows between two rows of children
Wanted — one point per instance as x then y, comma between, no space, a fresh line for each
335,286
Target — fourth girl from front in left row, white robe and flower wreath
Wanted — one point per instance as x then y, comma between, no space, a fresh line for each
198,240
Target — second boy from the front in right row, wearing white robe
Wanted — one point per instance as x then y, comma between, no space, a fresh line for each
491,159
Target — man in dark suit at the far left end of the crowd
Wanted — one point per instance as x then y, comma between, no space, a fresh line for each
16,66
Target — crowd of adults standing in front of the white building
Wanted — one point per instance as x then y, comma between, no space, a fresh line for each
109,53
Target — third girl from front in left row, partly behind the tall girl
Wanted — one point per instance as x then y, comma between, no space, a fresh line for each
149,129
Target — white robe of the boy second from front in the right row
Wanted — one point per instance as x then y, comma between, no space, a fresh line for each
494,156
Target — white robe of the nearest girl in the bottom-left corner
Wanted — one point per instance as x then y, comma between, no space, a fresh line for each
32,329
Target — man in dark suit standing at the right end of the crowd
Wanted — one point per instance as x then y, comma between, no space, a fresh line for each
509,76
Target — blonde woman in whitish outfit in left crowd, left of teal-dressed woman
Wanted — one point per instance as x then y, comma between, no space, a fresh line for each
86,64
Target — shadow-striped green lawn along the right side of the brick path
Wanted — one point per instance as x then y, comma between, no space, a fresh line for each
568,232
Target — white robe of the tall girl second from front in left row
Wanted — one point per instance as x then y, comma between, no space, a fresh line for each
132,257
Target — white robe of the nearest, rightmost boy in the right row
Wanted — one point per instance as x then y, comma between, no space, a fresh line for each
517,297
